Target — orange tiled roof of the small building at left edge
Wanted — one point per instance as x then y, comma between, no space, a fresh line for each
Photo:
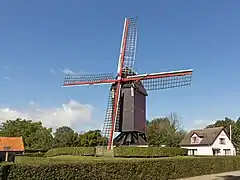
11,144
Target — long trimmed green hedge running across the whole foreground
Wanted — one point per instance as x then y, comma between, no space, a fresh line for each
160,168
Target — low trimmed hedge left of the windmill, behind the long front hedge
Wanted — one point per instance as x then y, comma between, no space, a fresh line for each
76,151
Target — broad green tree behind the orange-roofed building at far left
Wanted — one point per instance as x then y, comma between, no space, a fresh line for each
34,135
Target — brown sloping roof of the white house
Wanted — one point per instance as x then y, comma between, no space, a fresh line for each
208,136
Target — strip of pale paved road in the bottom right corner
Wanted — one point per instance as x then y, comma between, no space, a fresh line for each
234,175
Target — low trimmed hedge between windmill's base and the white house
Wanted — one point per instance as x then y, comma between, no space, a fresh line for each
148,152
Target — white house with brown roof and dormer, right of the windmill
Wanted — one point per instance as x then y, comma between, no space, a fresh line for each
210,141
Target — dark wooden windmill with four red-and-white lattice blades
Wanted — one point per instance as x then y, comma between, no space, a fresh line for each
126,110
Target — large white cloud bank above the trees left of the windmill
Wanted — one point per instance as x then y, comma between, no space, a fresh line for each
71,114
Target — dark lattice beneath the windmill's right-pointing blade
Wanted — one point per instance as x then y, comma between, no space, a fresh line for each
166,82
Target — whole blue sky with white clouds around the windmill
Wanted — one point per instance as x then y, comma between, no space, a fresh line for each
40,41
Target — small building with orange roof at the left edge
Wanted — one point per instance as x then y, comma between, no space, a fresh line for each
9,146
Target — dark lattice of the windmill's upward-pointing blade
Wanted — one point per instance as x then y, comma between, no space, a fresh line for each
131,43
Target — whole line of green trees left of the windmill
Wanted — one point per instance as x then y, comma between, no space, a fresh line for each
38,138
